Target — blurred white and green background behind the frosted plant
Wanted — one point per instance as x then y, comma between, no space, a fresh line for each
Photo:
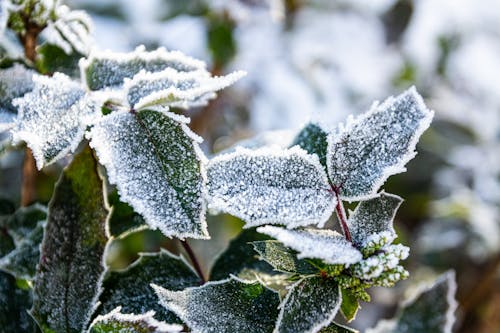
321,61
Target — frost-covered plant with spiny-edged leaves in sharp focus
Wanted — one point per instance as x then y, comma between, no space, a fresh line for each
116,113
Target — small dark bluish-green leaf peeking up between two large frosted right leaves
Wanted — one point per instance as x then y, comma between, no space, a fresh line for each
313,139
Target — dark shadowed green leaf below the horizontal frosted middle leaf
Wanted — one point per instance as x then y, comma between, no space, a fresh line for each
239,256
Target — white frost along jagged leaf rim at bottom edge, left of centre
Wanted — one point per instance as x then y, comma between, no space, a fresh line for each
145,321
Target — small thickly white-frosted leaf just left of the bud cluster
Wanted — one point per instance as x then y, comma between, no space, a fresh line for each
327,245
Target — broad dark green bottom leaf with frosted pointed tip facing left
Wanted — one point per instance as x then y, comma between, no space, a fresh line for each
225,306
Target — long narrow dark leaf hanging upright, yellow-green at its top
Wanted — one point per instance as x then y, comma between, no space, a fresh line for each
71,268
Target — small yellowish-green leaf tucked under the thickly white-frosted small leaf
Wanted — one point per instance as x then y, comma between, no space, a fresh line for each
282,258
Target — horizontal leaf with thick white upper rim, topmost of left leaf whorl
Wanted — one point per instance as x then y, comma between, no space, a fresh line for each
109,69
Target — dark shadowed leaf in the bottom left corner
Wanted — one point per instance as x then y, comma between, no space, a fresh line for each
14,305
